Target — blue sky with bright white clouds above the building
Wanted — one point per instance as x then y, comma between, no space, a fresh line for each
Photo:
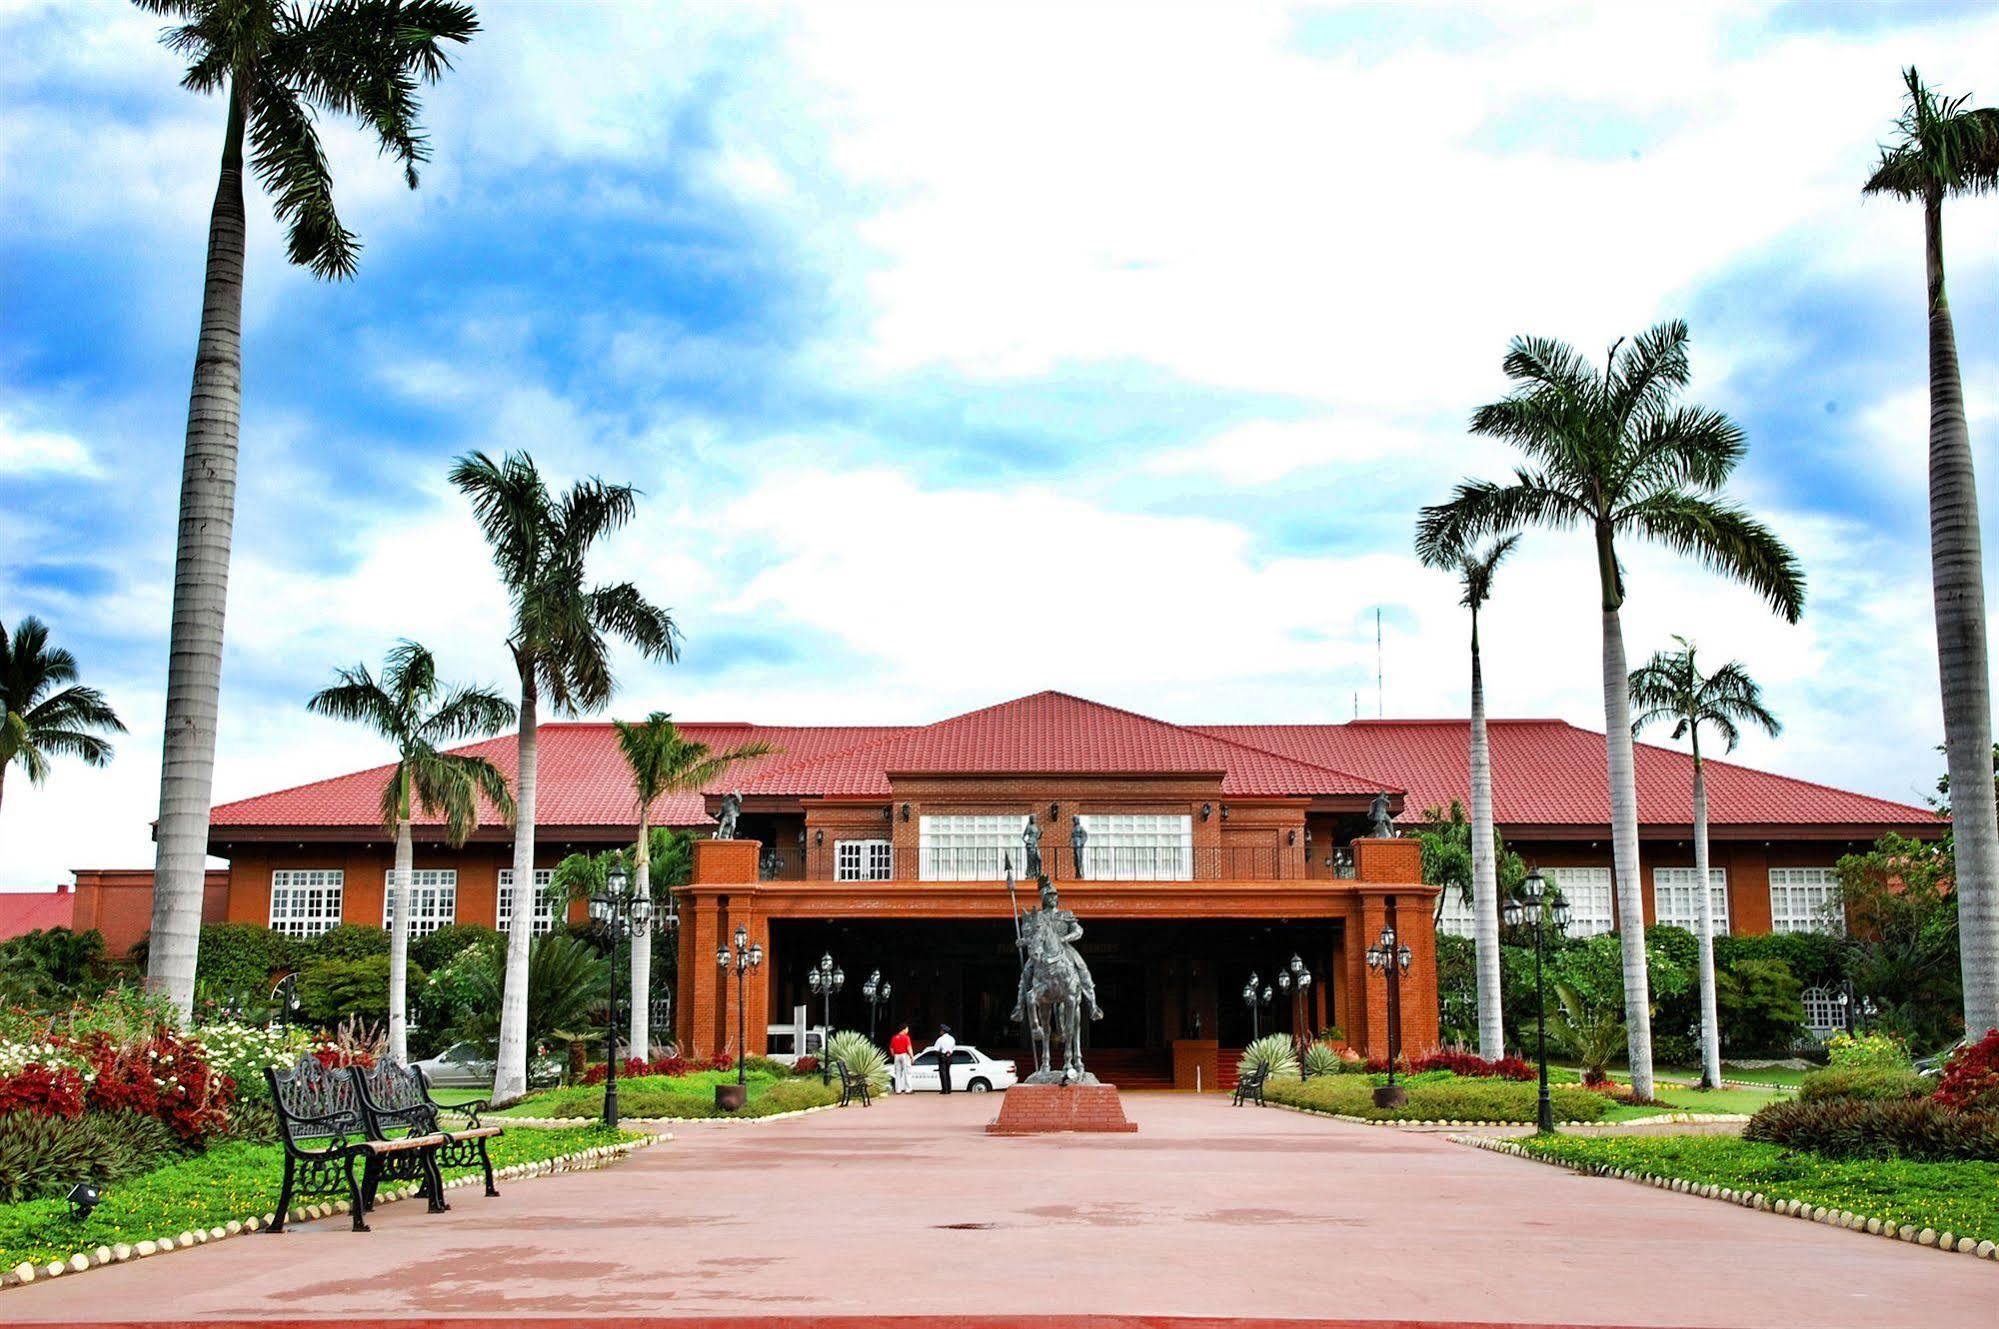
979,351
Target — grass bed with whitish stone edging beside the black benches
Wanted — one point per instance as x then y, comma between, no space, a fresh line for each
227,1190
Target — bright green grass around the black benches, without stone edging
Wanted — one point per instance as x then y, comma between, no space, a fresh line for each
211,1190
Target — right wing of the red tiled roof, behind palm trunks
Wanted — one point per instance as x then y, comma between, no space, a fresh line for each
1548,772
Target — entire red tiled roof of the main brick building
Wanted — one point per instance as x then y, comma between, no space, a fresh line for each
1546,772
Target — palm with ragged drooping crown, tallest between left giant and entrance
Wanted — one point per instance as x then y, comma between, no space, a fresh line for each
561,651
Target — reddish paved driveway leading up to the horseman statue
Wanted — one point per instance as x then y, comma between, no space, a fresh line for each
911,1210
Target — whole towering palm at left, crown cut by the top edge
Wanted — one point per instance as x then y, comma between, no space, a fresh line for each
279,65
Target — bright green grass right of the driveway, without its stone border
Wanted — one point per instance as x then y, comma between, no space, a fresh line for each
1956,1198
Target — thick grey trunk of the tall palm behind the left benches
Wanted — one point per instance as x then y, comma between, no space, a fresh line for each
201,589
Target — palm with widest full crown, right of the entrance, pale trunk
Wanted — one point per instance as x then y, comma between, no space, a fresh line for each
1616,455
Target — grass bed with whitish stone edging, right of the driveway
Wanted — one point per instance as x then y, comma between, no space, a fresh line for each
1928,1204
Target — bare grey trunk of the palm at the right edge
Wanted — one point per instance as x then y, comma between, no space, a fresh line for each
1956,561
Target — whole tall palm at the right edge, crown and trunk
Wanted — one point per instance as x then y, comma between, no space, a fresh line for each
1950,151
